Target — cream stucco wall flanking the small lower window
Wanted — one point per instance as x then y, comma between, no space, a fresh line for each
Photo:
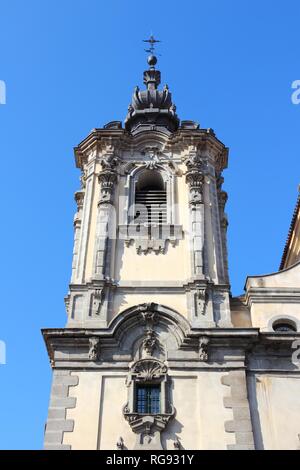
197,397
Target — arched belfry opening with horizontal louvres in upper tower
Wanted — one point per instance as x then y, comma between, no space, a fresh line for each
150,199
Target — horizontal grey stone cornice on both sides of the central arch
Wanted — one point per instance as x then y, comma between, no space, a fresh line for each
228,348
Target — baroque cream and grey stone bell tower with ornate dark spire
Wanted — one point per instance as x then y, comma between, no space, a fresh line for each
153,355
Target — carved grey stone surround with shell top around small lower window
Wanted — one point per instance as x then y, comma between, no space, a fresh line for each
148,427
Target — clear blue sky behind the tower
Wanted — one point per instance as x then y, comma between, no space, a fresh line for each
70,66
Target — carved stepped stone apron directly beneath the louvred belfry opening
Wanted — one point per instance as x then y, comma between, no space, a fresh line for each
150,238
